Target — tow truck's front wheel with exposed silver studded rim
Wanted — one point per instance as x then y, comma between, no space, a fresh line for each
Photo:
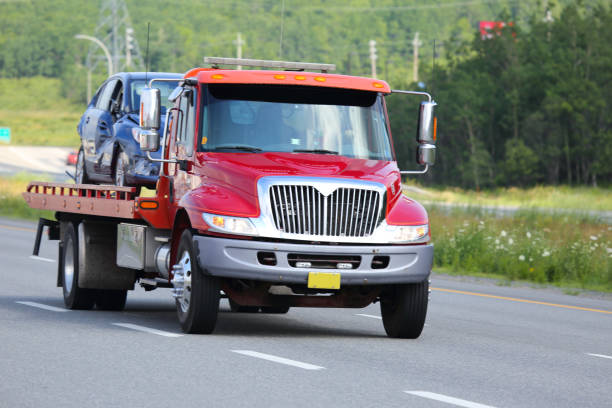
197,297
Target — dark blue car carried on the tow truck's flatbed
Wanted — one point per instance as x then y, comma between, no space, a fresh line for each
109,128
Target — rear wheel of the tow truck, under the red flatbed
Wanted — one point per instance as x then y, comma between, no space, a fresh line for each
74,297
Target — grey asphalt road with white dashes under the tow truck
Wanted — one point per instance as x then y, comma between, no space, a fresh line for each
483,344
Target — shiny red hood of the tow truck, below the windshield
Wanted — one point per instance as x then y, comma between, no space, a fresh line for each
237,173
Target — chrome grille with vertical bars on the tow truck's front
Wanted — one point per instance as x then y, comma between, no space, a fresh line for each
347,212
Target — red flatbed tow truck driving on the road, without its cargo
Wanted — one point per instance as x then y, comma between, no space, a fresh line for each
279,188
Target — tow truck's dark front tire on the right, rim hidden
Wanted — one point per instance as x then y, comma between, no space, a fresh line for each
404,308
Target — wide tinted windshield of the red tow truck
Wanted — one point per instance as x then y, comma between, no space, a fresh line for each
278,118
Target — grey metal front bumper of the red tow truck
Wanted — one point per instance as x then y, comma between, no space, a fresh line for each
234,258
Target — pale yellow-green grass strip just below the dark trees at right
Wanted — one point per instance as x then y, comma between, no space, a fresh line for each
557,197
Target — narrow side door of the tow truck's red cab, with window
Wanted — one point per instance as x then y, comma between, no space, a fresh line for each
183,143
